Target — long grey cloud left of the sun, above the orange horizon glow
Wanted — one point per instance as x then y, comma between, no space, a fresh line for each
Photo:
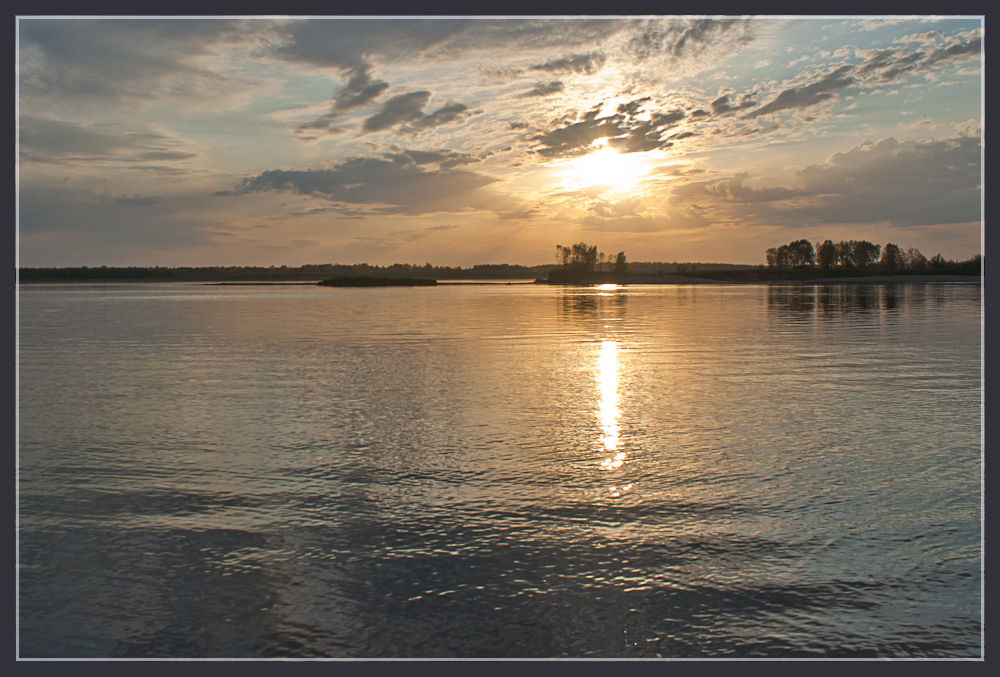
396,184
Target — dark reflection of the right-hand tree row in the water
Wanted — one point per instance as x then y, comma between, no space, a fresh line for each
837,299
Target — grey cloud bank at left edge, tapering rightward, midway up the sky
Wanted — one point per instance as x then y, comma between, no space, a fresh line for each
49,140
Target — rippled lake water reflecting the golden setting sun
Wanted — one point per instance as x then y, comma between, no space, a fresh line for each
500,471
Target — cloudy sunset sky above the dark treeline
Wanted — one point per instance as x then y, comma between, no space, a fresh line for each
458,141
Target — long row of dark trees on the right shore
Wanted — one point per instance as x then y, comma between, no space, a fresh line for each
848,254
